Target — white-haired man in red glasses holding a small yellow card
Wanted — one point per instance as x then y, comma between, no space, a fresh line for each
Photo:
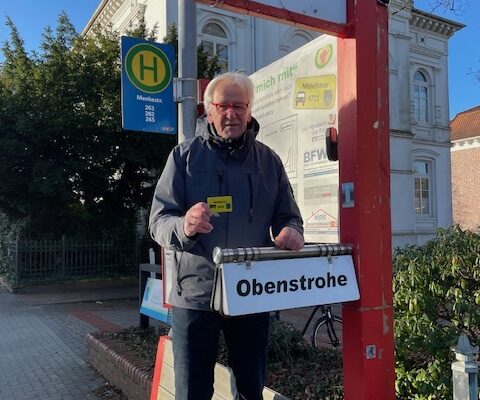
223,160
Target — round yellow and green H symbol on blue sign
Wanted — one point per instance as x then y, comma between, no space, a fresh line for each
148,68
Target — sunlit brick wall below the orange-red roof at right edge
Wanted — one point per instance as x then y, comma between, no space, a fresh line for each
466,188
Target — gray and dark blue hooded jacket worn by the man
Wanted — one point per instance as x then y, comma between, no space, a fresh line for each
206,166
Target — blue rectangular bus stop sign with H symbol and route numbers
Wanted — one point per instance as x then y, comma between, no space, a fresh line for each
147,86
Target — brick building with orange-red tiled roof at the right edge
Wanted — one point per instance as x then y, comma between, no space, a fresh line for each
465,131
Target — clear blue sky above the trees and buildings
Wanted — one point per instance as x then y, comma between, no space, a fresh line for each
32,16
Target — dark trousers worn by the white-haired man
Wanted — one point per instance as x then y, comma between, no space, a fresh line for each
195,346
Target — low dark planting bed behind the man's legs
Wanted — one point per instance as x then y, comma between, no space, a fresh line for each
295,368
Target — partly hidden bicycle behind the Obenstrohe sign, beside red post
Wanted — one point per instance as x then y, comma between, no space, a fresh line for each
328,323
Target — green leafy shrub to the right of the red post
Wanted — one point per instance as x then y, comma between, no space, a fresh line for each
436,297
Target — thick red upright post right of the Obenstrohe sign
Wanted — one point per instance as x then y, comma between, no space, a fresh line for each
364,169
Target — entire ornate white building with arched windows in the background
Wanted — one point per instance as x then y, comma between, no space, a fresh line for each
419,114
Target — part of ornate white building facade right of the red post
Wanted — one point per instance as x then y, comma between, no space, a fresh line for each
419,123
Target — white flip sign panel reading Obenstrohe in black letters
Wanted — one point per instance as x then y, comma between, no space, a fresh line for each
272,285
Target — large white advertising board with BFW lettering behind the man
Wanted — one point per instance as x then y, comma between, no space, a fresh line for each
295,102
